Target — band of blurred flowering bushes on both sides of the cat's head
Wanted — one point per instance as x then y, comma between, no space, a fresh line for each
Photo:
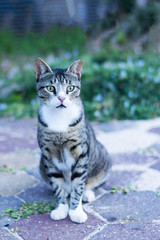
121,86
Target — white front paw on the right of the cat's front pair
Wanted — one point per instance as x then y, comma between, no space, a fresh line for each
78,215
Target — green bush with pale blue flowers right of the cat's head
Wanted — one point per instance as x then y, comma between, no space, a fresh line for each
124,90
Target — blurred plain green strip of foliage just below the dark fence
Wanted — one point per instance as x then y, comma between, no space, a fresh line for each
55,40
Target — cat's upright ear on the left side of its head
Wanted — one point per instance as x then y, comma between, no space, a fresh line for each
40,68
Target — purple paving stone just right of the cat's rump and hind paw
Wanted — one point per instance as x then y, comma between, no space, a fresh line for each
121,179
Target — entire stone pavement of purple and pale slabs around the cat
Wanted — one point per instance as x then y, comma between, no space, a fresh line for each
126,207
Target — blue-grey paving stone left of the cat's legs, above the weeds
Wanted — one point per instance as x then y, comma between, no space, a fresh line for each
37,193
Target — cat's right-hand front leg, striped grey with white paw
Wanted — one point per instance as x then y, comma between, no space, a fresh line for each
78,178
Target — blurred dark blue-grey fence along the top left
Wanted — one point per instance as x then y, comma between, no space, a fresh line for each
24,15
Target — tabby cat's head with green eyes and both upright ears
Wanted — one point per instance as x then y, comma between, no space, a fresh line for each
58,88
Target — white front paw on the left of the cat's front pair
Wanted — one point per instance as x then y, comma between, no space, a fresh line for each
60,212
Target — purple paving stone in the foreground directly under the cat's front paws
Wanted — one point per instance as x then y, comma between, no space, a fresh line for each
41,227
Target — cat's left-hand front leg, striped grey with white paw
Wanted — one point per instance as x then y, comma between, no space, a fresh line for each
56,181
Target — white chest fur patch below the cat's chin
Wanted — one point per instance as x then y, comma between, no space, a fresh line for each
58,120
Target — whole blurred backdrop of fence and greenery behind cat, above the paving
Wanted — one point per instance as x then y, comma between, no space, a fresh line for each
119,42
